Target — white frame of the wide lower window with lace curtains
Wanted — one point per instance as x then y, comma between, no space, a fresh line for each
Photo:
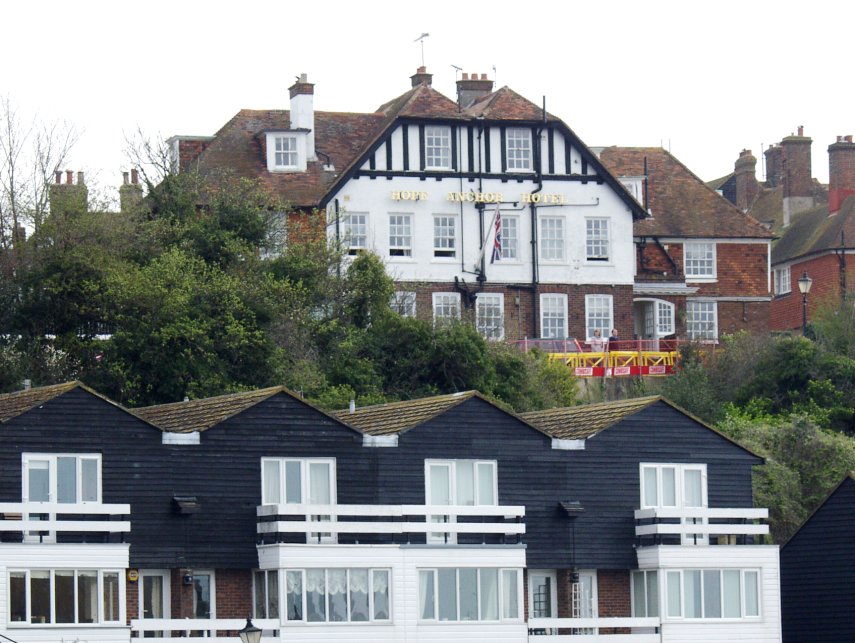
304,596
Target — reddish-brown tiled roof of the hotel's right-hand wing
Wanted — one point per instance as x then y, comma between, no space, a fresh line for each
681,204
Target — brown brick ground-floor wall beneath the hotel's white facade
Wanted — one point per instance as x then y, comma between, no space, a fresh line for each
519,302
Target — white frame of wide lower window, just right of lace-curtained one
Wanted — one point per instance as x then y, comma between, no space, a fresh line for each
500,591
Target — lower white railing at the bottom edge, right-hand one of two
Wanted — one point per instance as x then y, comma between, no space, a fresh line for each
599,630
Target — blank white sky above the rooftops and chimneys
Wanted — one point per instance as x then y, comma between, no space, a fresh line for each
705,79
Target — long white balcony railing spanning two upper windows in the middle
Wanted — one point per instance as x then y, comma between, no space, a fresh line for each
392,519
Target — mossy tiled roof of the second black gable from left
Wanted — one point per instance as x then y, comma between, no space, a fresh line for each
200,415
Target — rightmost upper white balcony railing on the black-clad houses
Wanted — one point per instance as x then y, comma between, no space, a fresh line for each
701,524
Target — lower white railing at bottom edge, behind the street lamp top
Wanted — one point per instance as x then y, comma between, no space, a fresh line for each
223,629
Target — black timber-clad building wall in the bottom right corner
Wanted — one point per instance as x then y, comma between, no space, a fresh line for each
817,569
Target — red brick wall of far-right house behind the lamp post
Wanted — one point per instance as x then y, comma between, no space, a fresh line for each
786,310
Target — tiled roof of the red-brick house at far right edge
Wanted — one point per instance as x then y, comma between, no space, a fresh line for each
814,231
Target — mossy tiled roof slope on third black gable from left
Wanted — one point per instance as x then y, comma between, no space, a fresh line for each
390,419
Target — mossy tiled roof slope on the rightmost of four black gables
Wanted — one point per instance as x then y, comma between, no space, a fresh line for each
577,422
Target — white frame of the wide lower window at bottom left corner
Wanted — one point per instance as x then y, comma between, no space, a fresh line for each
52,596
